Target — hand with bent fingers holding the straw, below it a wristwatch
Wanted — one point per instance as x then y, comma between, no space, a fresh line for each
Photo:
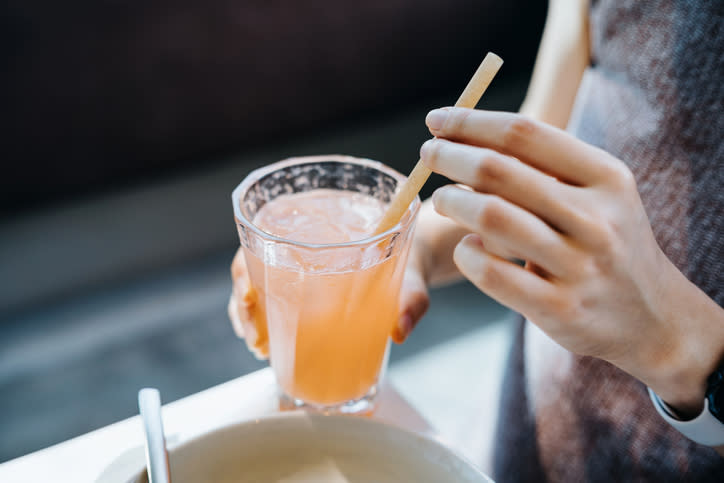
595,279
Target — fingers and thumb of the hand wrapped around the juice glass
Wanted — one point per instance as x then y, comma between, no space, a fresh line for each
247,323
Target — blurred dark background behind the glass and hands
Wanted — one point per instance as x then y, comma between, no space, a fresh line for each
127,125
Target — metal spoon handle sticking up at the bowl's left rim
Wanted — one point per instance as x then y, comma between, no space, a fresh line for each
149,403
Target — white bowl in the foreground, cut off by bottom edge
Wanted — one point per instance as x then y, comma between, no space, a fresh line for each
302,447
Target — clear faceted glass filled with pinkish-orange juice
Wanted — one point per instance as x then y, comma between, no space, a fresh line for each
326,290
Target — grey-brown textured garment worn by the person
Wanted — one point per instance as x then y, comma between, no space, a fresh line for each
653,97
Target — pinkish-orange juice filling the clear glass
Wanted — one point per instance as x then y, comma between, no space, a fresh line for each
329,312
